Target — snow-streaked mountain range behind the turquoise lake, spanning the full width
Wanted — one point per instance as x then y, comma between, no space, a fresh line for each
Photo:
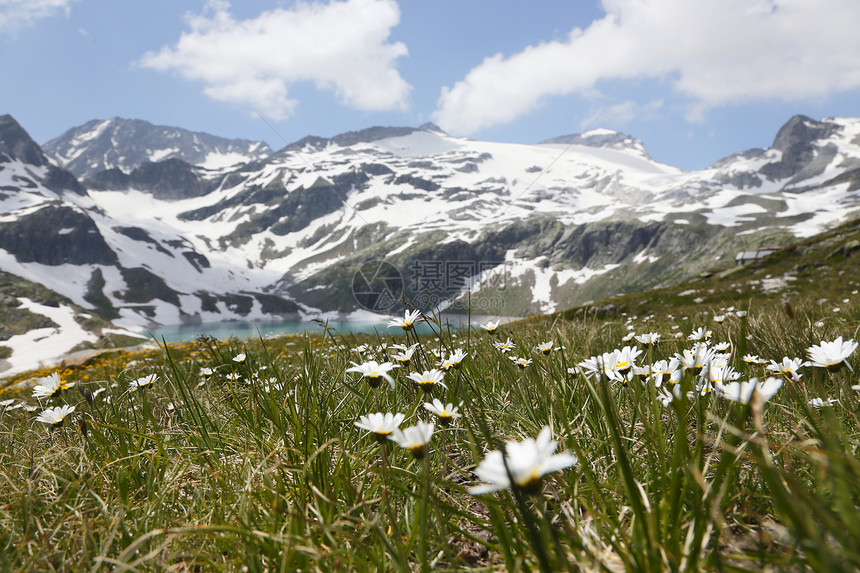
365,218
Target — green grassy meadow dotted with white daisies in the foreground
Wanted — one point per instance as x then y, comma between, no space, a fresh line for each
245,455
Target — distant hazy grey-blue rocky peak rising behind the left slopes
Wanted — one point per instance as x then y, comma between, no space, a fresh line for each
126,144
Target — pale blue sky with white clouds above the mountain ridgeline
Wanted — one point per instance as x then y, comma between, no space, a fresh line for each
695,81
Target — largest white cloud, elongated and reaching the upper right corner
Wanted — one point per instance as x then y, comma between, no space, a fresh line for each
713,52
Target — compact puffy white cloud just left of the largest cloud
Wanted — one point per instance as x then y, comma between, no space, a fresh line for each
340,46
